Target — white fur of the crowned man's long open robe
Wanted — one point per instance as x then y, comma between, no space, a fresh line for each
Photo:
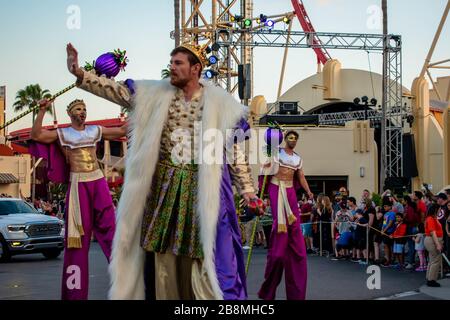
151,102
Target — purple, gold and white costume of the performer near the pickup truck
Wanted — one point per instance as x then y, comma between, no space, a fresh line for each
89,206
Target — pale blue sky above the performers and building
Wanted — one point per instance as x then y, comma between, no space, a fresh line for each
34,35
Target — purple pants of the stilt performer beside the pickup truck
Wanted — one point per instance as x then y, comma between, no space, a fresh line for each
97,215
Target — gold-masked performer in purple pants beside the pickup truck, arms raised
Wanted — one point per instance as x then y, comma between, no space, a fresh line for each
89,203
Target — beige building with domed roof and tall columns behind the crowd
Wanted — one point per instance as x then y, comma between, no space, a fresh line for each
336,156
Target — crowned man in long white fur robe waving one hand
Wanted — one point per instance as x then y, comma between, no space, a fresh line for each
176,205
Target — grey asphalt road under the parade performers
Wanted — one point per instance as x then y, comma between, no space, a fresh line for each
33,277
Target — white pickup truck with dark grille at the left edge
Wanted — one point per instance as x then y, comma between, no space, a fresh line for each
24,230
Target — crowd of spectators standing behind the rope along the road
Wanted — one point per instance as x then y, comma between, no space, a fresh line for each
408,232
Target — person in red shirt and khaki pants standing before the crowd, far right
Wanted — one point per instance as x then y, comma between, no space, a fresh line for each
434,245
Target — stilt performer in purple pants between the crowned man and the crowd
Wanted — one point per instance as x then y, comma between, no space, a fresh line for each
287,246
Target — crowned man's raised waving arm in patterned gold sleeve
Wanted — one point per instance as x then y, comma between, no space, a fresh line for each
116,92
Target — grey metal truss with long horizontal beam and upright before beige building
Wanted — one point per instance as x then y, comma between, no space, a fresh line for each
392,106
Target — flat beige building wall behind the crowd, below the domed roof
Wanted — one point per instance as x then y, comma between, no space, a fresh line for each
335,157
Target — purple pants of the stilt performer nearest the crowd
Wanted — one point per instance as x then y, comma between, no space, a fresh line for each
286,251
